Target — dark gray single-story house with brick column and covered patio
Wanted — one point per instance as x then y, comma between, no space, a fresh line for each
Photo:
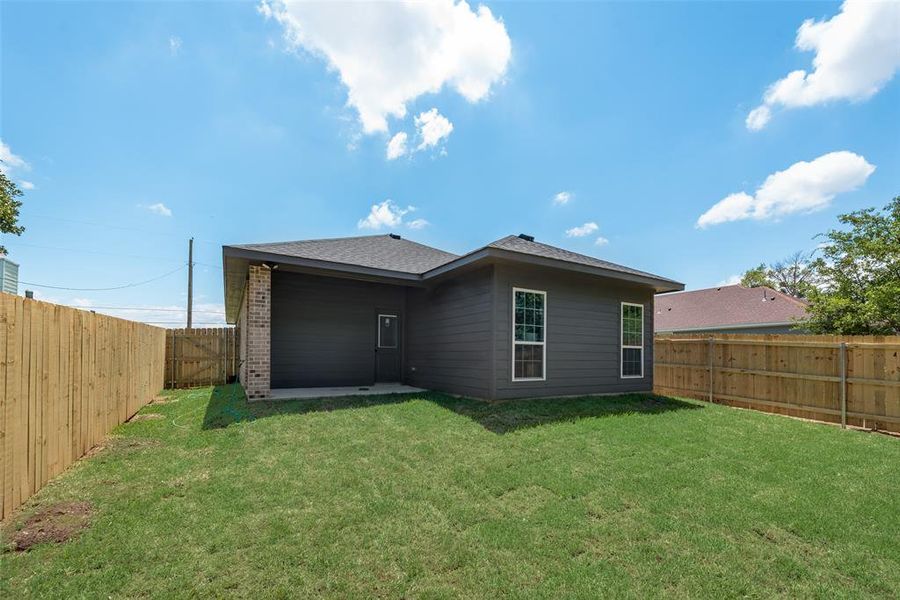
516,318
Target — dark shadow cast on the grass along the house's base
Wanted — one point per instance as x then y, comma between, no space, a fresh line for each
228,405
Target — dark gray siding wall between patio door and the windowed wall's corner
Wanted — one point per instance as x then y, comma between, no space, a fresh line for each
449,335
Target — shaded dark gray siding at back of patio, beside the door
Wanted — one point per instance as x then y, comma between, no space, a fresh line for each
324,329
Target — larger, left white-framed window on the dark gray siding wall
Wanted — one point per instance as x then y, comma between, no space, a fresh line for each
529,335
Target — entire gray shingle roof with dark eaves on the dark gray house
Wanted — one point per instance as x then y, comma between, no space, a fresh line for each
392,258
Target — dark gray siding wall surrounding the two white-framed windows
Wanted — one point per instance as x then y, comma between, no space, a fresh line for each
583,333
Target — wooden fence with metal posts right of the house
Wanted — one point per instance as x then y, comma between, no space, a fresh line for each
852,380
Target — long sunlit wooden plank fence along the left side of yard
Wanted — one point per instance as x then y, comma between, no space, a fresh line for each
67,377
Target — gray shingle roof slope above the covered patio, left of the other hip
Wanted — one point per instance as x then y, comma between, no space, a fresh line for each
374,251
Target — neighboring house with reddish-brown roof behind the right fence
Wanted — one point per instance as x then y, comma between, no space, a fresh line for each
729,309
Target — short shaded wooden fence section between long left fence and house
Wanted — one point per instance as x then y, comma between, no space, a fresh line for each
196,357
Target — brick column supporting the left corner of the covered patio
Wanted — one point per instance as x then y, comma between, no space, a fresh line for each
258,326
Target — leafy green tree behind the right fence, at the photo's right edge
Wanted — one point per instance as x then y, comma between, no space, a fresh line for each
860,273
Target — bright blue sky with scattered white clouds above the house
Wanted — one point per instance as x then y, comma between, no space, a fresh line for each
120,113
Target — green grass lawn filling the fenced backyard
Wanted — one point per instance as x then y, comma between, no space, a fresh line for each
435,496
